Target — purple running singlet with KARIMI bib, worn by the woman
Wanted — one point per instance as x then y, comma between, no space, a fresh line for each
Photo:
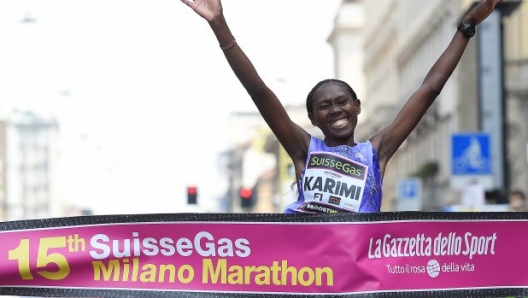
339,179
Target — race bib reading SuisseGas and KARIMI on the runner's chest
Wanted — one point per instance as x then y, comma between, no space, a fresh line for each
332,184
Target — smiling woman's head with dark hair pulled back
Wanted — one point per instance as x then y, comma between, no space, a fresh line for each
335,111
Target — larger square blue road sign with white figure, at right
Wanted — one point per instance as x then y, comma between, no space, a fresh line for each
470,154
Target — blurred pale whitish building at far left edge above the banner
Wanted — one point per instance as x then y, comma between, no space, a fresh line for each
29,159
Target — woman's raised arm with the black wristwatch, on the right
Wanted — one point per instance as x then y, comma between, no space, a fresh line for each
388,140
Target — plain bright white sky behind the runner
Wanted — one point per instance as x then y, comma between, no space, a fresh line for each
142,92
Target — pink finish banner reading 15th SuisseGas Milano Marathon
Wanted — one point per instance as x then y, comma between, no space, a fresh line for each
407,254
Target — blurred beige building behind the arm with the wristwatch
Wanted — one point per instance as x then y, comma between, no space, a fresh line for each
396,64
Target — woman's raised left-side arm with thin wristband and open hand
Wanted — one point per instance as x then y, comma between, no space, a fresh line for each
291,136
